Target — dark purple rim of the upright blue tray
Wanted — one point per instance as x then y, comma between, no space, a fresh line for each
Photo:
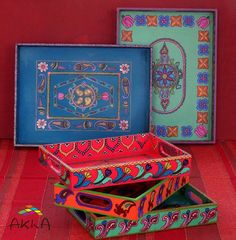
17,49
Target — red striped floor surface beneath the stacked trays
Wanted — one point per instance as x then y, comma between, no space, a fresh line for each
24,182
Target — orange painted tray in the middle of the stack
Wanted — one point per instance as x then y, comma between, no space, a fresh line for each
129,201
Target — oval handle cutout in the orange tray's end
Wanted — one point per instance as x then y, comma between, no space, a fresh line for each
91,201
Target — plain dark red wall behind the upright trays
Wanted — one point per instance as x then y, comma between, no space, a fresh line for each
84,21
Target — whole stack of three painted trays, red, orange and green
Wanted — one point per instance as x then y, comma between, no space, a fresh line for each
127,184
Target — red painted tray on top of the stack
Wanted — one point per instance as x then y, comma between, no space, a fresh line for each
114,161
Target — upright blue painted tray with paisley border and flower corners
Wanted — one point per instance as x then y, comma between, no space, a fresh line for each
73,92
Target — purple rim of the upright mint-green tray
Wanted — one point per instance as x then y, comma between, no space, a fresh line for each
214,68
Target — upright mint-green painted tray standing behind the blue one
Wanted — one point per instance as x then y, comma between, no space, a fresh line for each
183,68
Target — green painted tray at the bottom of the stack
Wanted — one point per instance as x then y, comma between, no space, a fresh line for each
187,207
